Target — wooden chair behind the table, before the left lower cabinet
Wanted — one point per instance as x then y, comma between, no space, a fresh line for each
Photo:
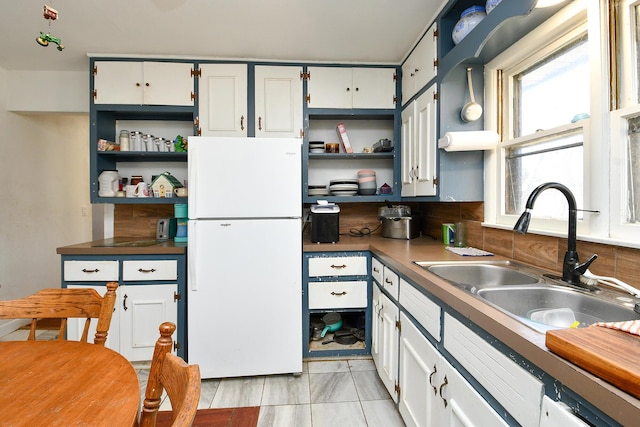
63,303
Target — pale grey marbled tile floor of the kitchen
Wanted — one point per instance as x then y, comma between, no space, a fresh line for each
328,393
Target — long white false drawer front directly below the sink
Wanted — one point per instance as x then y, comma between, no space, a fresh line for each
519,392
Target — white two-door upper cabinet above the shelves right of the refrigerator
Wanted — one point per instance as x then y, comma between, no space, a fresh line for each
348,88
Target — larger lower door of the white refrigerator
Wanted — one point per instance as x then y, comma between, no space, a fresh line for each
245,297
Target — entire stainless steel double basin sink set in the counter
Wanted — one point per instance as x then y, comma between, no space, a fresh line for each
536,299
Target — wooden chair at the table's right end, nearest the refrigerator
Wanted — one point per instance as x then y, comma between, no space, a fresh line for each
171,373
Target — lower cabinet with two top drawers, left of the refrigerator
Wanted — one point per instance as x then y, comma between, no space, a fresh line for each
152,290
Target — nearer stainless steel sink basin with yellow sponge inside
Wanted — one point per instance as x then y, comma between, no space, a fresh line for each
552,307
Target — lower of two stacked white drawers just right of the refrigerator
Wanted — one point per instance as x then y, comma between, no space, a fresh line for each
337,294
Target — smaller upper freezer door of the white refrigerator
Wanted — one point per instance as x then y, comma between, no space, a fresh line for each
245,177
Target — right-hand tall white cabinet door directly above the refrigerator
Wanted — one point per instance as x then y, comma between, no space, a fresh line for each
278,101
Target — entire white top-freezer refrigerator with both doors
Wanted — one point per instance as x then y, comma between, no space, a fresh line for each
244,302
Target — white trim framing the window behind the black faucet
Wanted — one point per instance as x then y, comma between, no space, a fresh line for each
595,227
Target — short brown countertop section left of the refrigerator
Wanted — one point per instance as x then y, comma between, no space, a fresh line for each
125,246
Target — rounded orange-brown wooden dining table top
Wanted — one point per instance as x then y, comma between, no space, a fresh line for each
66,383
